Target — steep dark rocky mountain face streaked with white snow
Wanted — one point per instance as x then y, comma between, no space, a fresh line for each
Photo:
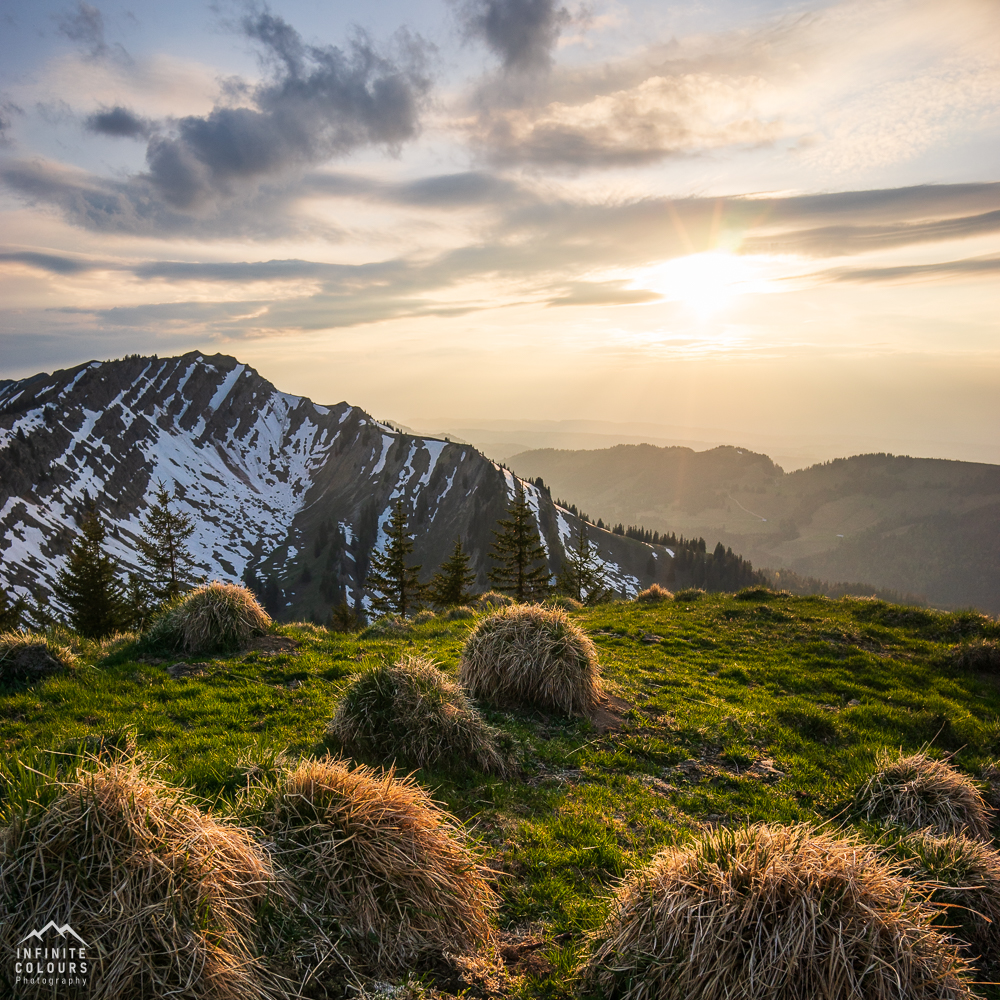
286,494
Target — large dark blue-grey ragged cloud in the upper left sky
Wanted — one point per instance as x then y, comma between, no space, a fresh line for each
232,171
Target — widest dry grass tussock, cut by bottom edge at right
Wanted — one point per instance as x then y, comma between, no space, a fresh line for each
775,913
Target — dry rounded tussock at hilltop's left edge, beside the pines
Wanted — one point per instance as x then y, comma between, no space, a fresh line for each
212,618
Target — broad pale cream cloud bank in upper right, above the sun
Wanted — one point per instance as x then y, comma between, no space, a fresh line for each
853,85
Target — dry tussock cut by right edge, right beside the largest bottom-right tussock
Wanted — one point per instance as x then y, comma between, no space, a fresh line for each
963,874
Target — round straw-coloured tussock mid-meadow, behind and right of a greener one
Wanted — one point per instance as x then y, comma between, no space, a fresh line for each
535,656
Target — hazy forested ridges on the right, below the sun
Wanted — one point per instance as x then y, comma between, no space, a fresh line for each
916,525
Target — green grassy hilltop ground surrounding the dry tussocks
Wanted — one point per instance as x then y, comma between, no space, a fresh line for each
728,710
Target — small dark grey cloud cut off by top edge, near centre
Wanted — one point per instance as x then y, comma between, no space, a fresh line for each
522,33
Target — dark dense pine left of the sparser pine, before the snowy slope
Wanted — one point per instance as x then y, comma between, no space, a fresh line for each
89,586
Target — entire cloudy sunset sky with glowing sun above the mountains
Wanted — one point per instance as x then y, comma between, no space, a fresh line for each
773,219
